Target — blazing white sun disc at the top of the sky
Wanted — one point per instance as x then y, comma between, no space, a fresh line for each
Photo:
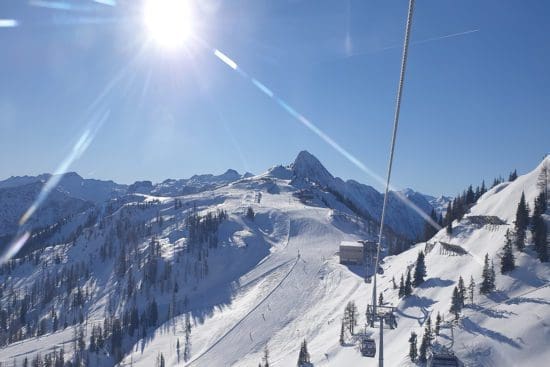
168,22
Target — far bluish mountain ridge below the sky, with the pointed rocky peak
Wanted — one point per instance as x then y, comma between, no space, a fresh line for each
305,172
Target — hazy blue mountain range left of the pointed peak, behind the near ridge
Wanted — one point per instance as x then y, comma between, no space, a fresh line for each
75,195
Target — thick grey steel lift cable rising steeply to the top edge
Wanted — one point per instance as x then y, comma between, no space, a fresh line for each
393,141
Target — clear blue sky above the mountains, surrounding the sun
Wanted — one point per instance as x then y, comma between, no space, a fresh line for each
475,105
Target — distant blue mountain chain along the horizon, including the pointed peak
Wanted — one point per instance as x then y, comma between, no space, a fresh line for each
306,173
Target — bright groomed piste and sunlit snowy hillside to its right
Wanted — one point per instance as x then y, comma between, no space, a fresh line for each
306,299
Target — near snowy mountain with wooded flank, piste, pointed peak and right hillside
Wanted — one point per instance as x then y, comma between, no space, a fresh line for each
253,263
